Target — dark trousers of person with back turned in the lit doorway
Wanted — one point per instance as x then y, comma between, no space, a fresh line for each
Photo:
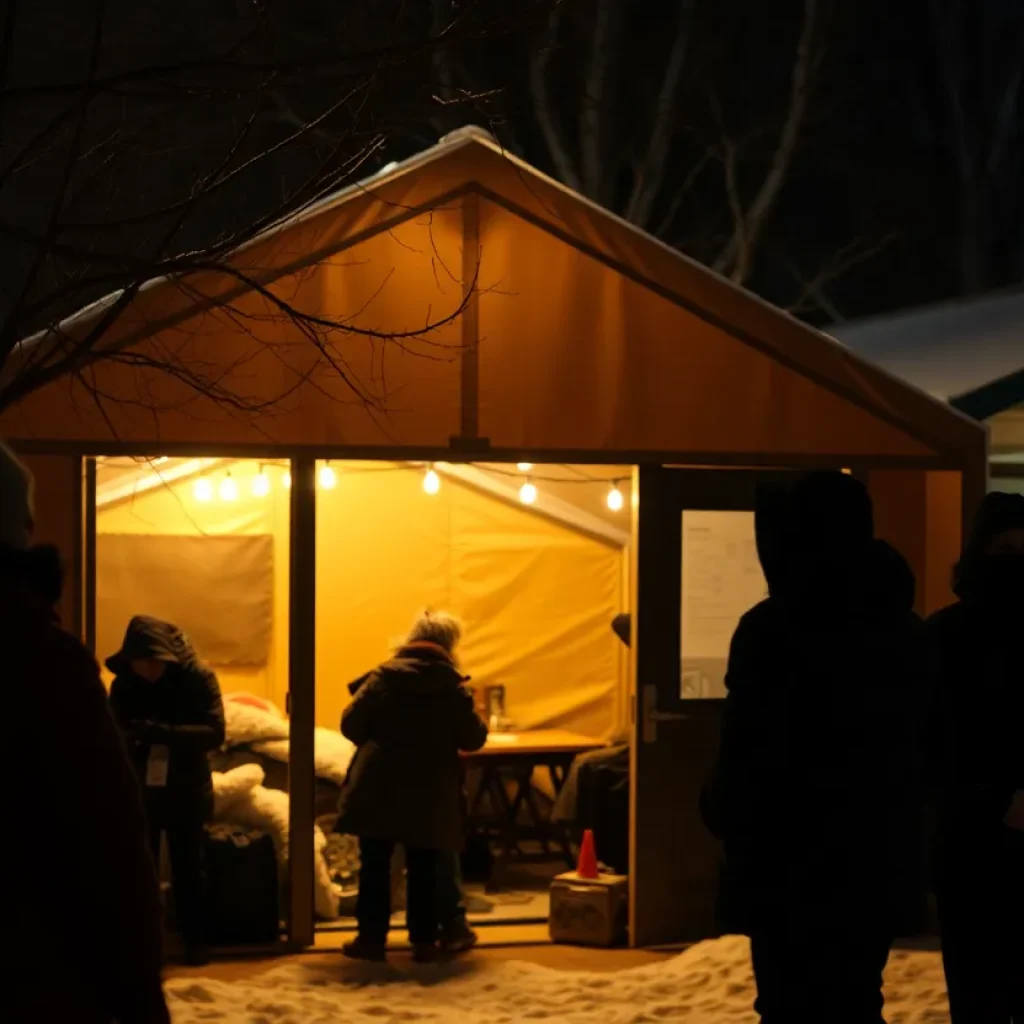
373,906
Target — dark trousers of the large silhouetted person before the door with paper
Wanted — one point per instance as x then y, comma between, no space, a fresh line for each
826,977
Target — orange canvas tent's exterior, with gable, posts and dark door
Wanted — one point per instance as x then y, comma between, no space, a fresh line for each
559,334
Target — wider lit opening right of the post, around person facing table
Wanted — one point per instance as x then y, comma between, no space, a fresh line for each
534,563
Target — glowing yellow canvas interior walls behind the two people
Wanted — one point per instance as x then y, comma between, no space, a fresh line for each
536,592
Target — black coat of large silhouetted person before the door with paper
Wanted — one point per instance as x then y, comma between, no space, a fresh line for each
819,793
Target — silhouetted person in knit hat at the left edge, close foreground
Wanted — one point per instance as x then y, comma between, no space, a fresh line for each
82,906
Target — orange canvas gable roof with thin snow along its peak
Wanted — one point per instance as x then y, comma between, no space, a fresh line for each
594,337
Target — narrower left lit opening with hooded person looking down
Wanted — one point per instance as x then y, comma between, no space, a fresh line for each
203,544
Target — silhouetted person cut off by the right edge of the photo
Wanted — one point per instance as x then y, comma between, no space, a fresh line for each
979,749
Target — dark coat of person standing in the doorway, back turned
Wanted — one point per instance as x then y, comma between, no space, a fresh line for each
410,719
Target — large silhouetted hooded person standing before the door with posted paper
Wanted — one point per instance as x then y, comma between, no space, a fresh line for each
818,794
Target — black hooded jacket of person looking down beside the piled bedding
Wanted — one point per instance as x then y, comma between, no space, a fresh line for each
183,711
